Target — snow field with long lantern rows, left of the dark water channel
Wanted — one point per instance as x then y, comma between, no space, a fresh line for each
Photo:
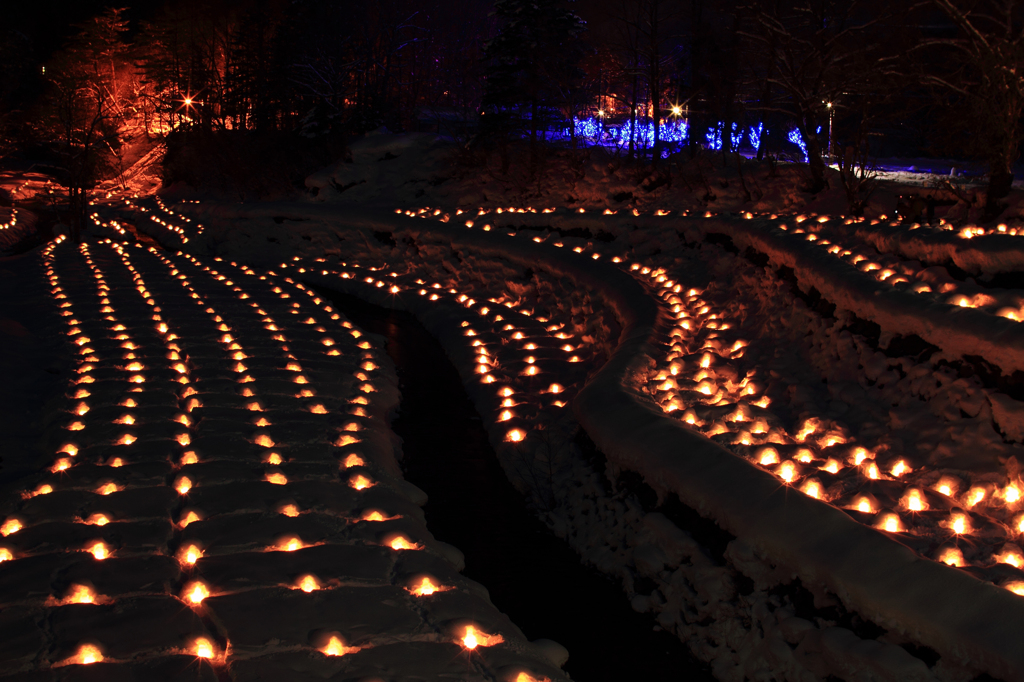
225,500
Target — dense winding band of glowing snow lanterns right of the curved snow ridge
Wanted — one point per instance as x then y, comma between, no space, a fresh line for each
791,472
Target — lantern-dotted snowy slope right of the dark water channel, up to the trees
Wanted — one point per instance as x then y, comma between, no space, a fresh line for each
808,427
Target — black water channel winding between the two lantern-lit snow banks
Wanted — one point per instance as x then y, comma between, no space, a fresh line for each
533,576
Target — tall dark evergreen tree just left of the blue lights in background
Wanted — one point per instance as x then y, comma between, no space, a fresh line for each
533,68
